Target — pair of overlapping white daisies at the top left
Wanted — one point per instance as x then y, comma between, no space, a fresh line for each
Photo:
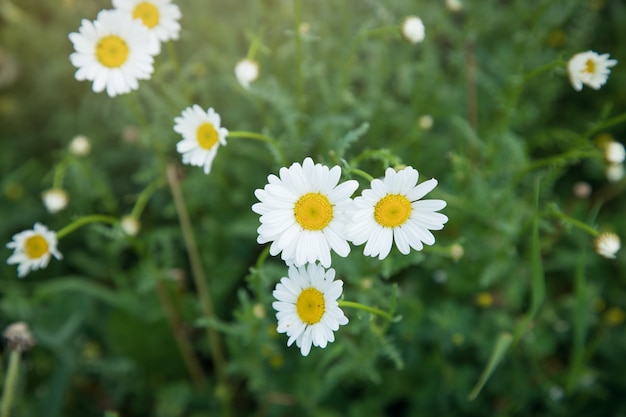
117,49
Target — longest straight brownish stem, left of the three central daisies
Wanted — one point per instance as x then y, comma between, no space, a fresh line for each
200,281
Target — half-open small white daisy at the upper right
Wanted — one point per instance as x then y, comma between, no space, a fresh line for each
589,68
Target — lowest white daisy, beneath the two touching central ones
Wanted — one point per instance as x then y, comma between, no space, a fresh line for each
307,309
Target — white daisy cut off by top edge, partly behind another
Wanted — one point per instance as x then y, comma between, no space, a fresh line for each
159,16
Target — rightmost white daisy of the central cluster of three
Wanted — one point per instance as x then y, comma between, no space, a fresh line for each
392,211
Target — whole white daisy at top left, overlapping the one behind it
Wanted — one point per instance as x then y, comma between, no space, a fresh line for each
114,51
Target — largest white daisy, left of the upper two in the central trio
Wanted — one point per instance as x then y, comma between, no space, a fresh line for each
304,213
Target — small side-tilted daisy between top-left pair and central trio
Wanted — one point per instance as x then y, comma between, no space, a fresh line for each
202,135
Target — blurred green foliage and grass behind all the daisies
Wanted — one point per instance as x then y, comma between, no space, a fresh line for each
498,139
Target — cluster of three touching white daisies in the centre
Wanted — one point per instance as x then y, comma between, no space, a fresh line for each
307,213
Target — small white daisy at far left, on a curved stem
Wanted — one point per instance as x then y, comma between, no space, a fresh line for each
32,249
